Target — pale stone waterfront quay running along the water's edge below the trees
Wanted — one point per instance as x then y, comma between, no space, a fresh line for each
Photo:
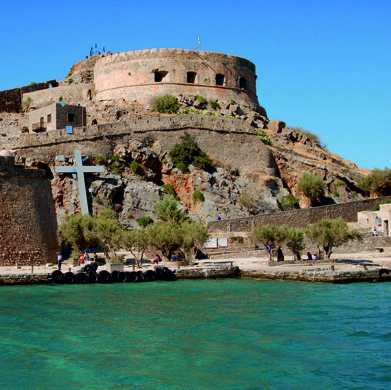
341,268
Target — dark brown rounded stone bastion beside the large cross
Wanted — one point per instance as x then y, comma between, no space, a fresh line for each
27,218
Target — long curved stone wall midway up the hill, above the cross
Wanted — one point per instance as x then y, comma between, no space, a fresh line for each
242,148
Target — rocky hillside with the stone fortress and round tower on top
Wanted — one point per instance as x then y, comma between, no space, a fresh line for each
250,179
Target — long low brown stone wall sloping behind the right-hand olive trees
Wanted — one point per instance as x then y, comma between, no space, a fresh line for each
297,218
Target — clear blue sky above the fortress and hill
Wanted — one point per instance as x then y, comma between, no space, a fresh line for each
321,65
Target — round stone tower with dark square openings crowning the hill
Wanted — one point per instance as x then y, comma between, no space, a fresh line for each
142,74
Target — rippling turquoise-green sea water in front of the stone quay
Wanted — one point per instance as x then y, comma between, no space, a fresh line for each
223,334
